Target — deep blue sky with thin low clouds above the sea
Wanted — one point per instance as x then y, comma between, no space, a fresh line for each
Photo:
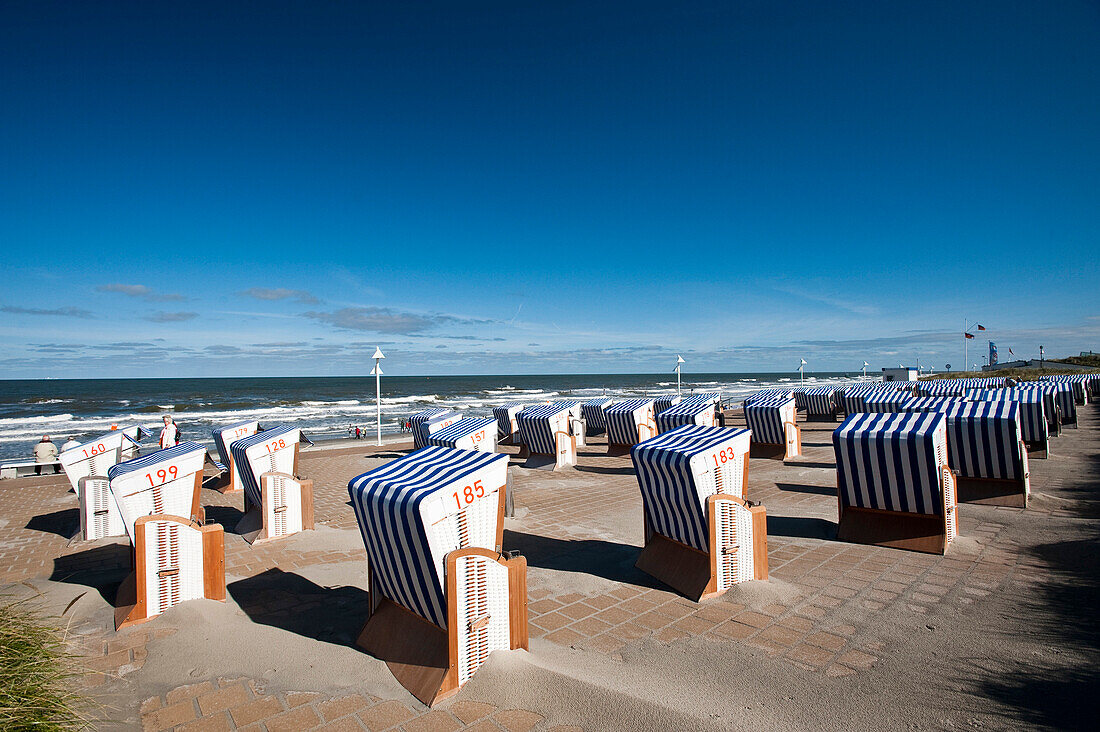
511,188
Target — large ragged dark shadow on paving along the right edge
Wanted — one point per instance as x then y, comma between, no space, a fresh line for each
1059,689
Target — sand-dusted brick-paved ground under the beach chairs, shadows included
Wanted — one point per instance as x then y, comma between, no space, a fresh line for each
994,636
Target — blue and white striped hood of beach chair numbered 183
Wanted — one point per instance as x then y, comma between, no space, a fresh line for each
673,502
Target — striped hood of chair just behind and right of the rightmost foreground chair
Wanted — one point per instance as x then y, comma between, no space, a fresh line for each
984,440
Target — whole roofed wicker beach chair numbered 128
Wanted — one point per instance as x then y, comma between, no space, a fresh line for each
278,502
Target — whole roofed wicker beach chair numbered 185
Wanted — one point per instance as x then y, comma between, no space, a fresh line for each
443,596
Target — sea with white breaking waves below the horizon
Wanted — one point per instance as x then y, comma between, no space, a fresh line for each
325,408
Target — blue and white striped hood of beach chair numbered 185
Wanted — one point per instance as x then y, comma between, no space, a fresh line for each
395,507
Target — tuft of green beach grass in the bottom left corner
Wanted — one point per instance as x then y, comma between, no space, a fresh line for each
38,674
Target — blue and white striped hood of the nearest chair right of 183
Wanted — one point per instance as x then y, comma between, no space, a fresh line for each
892,462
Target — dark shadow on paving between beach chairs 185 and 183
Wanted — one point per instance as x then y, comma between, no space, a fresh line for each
606,560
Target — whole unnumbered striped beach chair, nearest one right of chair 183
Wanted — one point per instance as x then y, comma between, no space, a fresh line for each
895,485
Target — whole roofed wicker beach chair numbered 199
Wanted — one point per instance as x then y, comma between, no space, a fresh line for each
177,558
